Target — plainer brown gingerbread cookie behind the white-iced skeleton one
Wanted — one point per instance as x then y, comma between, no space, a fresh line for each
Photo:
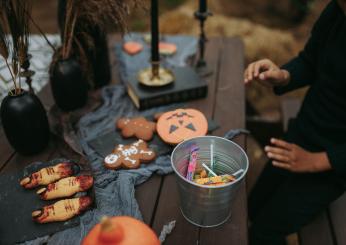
138,127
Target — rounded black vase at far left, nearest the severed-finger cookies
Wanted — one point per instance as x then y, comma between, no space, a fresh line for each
25,122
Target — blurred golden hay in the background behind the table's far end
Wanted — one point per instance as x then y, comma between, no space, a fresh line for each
260,41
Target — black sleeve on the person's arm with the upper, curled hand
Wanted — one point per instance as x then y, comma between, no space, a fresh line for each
302,68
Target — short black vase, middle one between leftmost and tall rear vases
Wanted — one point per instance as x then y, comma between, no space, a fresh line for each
68,84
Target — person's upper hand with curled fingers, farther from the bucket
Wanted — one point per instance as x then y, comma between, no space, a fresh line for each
267,73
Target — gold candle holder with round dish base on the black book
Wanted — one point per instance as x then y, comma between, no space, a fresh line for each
155,76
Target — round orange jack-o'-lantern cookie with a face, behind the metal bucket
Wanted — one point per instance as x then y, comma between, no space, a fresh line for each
175,126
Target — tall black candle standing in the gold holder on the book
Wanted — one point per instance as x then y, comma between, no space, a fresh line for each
155,31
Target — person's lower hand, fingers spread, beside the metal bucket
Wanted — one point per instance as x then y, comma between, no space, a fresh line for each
294,158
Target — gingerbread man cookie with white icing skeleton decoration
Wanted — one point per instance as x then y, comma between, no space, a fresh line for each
129,156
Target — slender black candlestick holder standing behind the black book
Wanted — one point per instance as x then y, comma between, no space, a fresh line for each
201,65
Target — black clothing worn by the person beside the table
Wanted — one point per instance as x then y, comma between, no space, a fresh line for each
282,202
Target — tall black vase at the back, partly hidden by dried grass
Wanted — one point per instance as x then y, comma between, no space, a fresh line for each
98,56
